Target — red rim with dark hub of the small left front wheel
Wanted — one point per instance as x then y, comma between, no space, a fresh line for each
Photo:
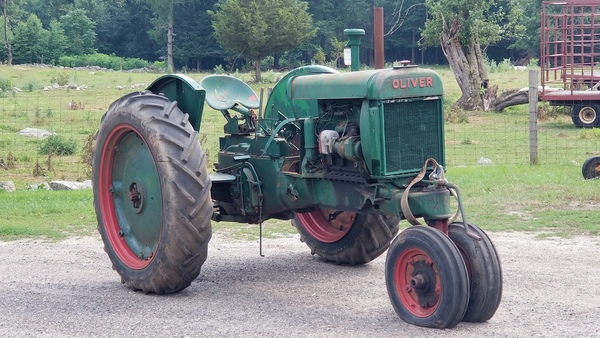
417,282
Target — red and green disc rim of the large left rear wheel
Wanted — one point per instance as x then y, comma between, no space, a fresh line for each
130,197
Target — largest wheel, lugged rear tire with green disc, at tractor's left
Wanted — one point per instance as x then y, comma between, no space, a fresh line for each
151,193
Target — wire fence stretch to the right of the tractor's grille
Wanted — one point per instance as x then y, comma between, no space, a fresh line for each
498,138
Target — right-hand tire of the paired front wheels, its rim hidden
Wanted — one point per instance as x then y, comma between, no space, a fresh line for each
484,270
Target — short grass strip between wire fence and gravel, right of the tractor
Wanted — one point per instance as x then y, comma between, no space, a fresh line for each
551,199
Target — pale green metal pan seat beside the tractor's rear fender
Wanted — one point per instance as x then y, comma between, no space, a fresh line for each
223,92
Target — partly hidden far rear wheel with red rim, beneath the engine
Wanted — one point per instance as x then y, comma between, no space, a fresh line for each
345,237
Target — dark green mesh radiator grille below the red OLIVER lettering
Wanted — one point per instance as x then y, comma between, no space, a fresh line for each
413,133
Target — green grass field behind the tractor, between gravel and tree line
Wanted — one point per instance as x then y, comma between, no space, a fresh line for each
550,198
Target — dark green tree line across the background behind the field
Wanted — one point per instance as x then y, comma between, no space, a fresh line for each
282,33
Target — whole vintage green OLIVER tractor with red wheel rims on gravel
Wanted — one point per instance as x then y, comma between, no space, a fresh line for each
345,156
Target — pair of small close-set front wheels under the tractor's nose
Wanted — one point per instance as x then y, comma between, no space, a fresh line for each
434,280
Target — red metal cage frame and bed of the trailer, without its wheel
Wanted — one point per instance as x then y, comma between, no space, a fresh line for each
570,52
